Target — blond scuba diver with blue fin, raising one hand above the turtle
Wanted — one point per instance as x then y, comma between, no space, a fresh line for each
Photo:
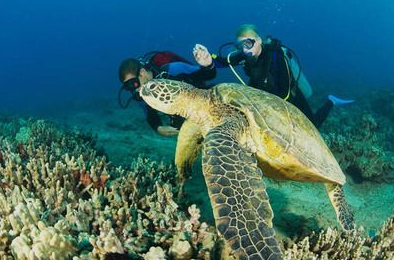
271,67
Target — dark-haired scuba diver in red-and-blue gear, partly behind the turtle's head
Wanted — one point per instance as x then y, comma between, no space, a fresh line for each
154,65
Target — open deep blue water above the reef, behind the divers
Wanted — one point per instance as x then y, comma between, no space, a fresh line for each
56,51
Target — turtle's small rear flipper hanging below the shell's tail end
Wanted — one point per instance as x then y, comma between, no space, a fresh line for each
337,197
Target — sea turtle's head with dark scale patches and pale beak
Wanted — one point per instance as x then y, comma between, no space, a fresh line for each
165,95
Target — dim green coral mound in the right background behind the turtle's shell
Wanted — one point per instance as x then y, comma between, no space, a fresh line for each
361,145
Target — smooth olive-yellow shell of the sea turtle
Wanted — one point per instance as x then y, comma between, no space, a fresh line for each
287,144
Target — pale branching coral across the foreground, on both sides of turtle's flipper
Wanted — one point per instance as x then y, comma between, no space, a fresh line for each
59,199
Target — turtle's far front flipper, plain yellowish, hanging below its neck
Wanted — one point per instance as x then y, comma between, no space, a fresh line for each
187,150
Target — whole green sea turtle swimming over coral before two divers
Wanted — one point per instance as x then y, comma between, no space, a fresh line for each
246,134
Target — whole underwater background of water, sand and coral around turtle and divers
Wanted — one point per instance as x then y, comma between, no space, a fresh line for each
59,63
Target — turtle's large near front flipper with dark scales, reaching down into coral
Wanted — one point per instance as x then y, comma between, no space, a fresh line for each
240,203
